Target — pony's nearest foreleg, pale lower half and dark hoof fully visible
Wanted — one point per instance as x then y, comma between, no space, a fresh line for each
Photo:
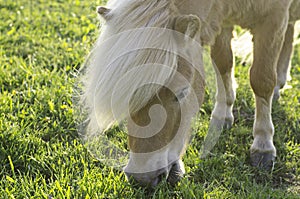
268,40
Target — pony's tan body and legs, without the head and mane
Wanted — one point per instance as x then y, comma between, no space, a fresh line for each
271,22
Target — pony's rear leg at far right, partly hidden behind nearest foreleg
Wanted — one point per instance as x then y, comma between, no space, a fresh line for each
284,61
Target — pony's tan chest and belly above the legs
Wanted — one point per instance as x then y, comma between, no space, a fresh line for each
217,14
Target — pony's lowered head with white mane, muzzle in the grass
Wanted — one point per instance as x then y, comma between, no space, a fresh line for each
146,68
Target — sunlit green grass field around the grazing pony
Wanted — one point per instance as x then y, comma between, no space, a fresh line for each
42,46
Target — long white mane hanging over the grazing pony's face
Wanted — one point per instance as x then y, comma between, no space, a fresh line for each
126,59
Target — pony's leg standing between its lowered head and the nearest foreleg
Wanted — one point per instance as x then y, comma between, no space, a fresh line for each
222,57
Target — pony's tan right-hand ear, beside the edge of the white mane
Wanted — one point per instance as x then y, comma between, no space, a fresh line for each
187,24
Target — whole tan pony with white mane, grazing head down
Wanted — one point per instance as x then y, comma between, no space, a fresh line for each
147,68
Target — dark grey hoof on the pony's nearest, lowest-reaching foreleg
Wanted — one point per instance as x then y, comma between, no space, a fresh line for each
264,161
